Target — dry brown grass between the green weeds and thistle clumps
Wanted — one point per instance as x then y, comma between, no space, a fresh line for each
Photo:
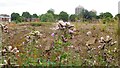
77,54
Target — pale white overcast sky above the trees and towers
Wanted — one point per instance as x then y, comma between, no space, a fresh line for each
41,6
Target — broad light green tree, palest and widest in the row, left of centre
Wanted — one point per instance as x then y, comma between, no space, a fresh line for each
48,17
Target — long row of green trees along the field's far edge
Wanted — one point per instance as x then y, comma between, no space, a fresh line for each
50,16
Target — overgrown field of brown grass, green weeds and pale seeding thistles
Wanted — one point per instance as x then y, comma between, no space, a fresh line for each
40,44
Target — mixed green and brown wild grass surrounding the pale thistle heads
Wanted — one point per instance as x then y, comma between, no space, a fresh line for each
74,52
